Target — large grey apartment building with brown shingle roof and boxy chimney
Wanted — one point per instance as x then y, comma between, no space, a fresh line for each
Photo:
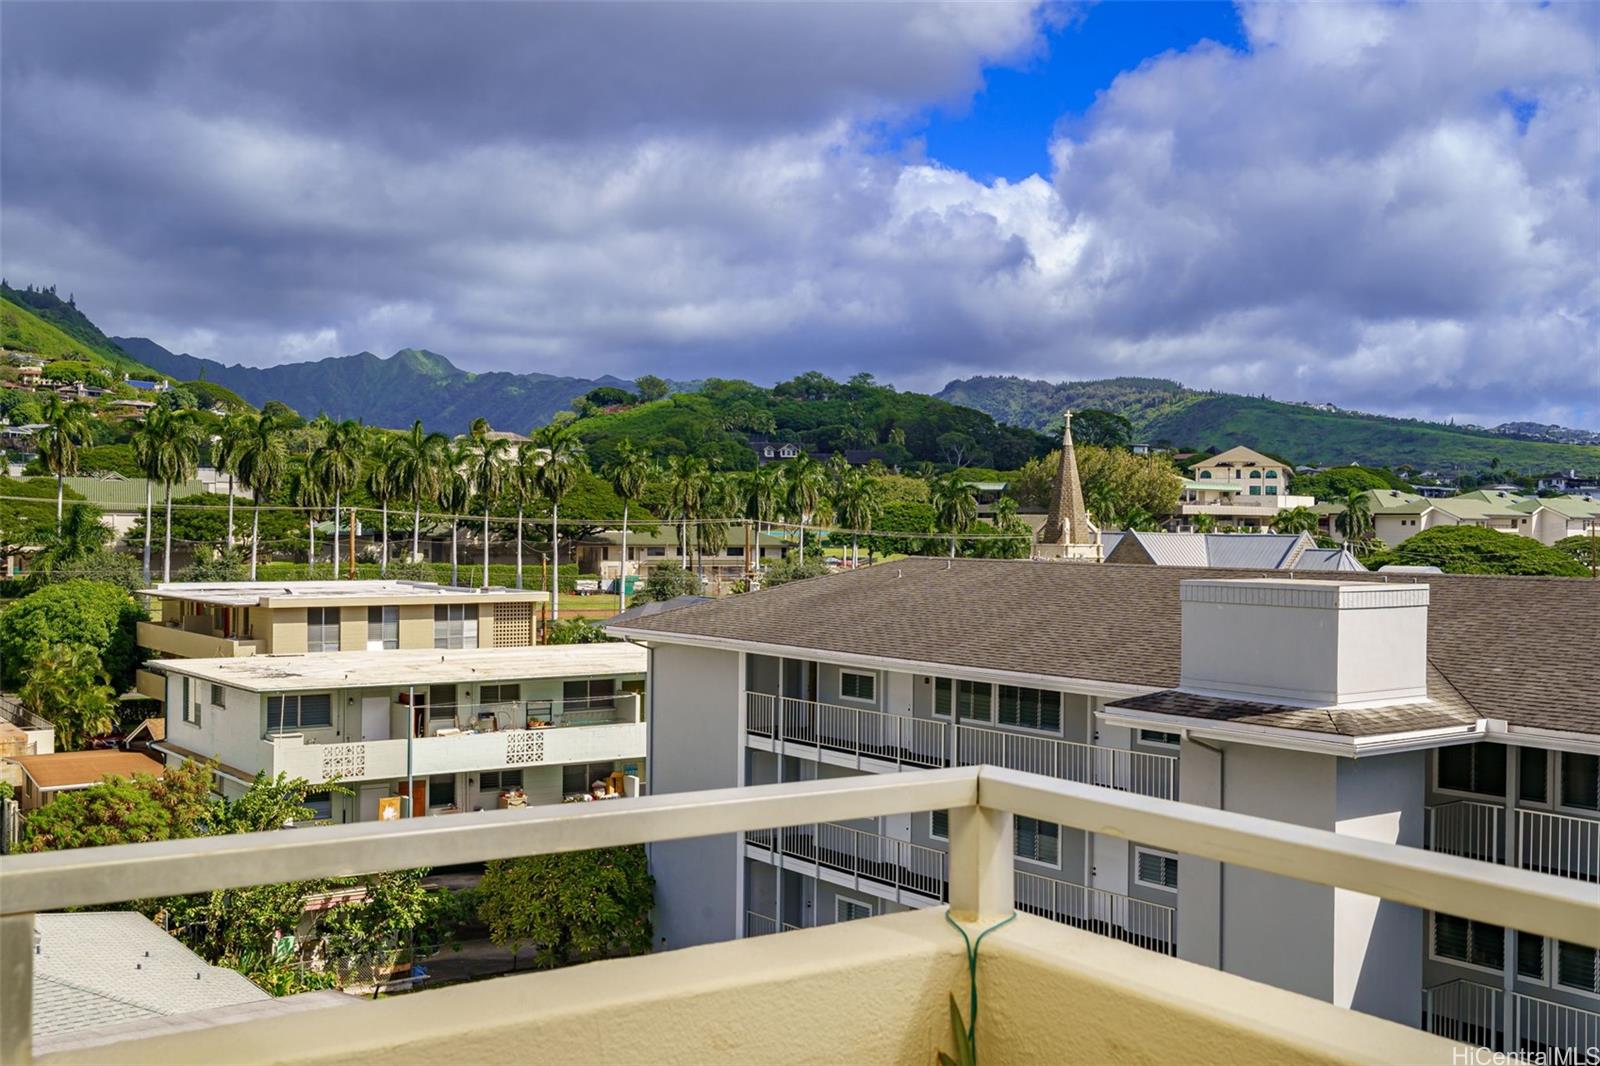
1398,711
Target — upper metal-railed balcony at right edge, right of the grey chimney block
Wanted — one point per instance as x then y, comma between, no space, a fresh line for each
1566,846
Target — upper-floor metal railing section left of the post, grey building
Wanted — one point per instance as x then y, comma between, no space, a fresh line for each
898,739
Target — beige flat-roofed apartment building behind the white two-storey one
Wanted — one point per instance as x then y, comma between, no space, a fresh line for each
242,619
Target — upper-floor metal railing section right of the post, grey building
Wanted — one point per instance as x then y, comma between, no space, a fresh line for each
1071,761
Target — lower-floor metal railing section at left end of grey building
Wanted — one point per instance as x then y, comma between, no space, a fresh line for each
865,857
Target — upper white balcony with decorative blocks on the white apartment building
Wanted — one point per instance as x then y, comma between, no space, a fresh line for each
567,737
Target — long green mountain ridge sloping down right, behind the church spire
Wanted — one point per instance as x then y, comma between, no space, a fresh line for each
1166,412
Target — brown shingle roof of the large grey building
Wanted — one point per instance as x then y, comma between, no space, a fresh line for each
1516,649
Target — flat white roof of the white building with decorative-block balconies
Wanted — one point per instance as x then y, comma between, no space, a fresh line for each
399,670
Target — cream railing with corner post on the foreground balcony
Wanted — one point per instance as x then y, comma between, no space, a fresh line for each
982,803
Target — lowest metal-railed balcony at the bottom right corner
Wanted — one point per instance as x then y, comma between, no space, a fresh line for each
1471,1012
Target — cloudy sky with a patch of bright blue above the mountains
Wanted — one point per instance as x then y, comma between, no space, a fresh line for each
1391,207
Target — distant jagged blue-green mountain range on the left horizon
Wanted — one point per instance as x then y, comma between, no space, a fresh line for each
410,385
